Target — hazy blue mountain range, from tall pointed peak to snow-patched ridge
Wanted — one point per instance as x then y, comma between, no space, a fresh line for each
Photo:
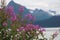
38,14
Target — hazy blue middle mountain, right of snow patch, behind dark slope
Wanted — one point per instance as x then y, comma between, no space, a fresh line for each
40,14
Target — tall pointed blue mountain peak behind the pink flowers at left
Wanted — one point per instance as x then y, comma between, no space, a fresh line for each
16,7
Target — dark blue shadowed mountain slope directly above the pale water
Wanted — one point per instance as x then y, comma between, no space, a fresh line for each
52,22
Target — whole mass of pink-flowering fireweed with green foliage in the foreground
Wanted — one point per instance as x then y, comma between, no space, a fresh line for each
16,27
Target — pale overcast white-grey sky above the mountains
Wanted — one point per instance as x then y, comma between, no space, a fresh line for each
40,4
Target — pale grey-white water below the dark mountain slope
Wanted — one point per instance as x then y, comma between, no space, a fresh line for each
50,31
